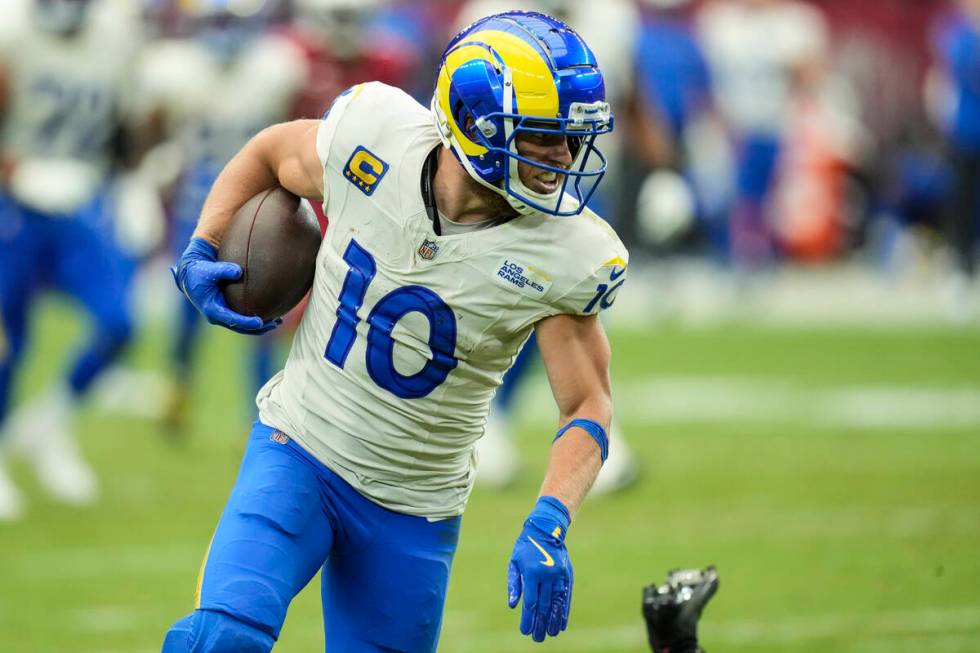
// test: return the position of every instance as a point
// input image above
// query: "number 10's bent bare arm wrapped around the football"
(280, 155)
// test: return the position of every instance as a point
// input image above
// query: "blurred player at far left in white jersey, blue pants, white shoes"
(64, 69)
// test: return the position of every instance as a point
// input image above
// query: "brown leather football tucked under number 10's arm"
(274, 237)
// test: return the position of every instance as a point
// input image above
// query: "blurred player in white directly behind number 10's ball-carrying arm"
(215, 90)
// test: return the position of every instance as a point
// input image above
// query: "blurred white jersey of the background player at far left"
(67, 97)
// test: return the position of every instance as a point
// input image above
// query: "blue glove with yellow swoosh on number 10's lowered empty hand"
(540, 569)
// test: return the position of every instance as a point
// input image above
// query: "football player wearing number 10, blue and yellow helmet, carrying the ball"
(455, 232)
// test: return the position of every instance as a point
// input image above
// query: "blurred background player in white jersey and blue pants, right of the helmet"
(762, 54)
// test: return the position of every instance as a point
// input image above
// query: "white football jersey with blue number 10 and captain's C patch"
(408, 334)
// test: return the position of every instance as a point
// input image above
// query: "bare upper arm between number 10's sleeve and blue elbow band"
(576, 356)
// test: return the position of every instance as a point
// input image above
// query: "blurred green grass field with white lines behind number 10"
(832, 476)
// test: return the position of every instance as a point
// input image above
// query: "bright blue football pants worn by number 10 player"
(384, 573)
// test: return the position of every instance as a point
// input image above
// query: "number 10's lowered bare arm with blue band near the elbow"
(576, 356)
